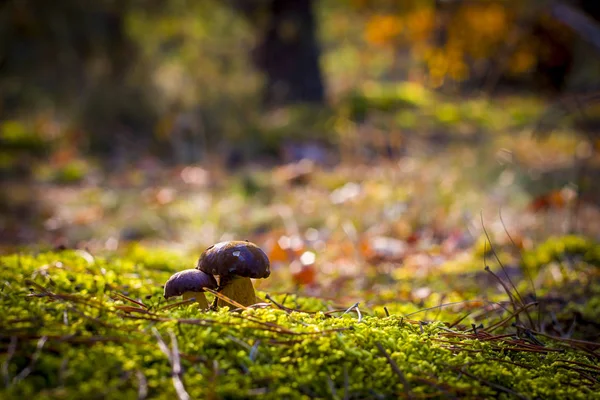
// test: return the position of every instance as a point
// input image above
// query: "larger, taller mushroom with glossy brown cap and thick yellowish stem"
(235, 262)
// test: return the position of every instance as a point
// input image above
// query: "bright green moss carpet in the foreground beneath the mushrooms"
(76, 326)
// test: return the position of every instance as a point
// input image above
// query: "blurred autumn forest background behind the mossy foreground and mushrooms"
(333, 133)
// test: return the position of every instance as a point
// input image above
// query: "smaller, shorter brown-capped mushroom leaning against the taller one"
(190, 283)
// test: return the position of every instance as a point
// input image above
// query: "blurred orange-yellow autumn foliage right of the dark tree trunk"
(471, 32)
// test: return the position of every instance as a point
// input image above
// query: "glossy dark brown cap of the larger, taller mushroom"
(240, 258)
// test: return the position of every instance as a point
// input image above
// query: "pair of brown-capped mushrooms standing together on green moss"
(235, 263)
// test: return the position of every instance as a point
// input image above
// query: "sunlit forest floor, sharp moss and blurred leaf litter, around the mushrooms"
(378, 284)
